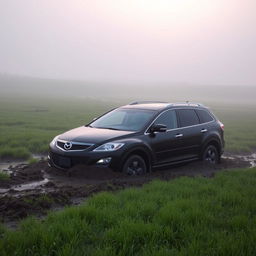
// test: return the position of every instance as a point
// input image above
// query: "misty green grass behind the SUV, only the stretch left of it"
(28, 126)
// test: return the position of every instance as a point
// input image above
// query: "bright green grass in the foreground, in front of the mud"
(186, 216)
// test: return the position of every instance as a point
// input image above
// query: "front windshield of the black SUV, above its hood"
(124, 119)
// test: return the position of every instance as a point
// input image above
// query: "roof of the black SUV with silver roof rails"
(154, 105)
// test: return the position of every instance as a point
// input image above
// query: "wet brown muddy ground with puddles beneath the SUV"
(35, 189)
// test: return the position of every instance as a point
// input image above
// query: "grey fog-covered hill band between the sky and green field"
(16, 88)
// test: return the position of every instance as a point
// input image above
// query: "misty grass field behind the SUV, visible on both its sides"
(27, 125)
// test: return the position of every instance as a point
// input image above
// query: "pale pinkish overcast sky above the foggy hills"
(192, 41)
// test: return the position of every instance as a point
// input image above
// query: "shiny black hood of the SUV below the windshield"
(92, 135)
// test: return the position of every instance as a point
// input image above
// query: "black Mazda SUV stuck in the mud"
(142, 135)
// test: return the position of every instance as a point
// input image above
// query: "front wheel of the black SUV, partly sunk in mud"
(134, 165)
